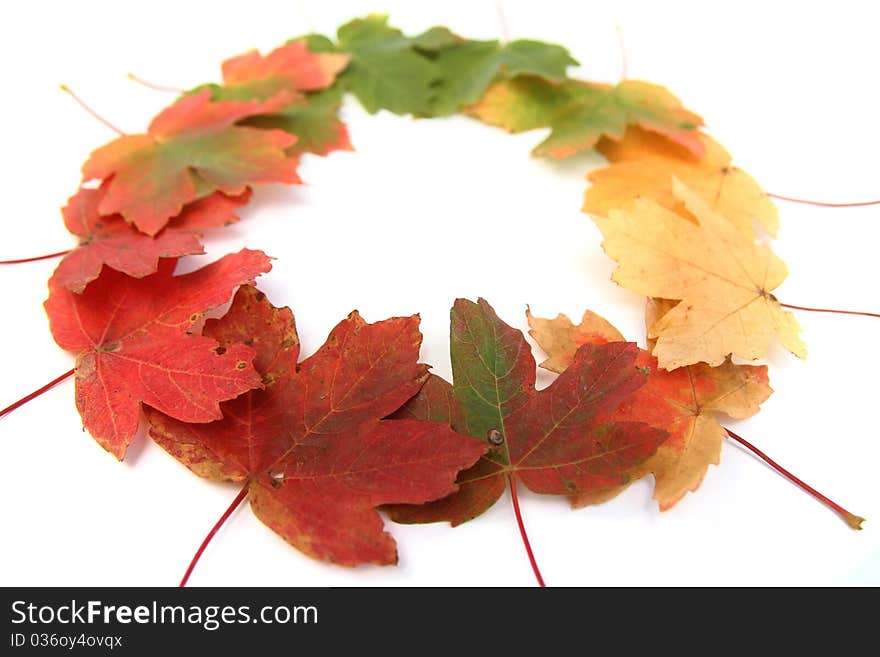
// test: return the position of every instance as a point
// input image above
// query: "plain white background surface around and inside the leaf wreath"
(423, 212)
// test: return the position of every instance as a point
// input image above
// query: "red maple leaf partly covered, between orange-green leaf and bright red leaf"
(110, 241)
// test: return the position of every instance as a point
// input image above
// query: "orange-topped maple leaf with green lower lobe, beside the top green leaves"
(292, 82)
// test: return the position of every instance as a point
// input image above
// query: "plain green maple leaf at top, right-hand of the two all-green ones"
(468, 68)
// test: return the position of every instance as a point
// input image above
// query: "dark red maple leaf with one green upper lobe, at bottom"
(550, 440)
